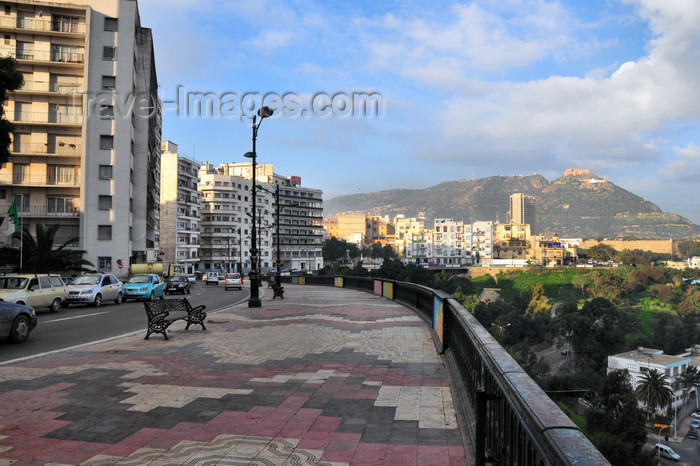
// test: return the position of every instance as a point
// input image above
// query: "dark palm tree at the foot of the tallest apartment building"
(40, 255)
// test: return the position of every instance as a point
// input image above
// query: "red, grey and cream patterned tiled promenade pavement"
(326, 376)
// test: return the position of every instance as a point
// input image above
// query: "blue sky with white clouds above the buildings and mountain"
(457, 90)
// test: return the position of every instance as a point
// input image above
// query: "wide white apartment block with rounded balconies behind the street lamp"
(226, 222)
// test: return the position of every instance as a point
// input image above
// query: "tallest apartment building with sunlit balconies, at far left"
(83, 157)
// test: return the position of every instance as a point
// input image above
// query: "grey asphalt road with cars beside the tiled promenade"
(79, 325)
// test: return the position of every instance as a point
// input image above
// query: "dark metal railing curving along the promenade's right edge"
(510, 419)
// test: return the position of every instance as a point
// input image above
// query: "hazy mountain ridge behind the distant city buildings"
(579, 204)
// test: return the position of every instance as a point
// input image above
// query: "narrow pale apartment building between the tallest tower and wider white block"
(179, 208)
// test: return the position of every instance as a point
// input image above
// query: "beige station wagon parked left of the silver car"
(35, 290)
